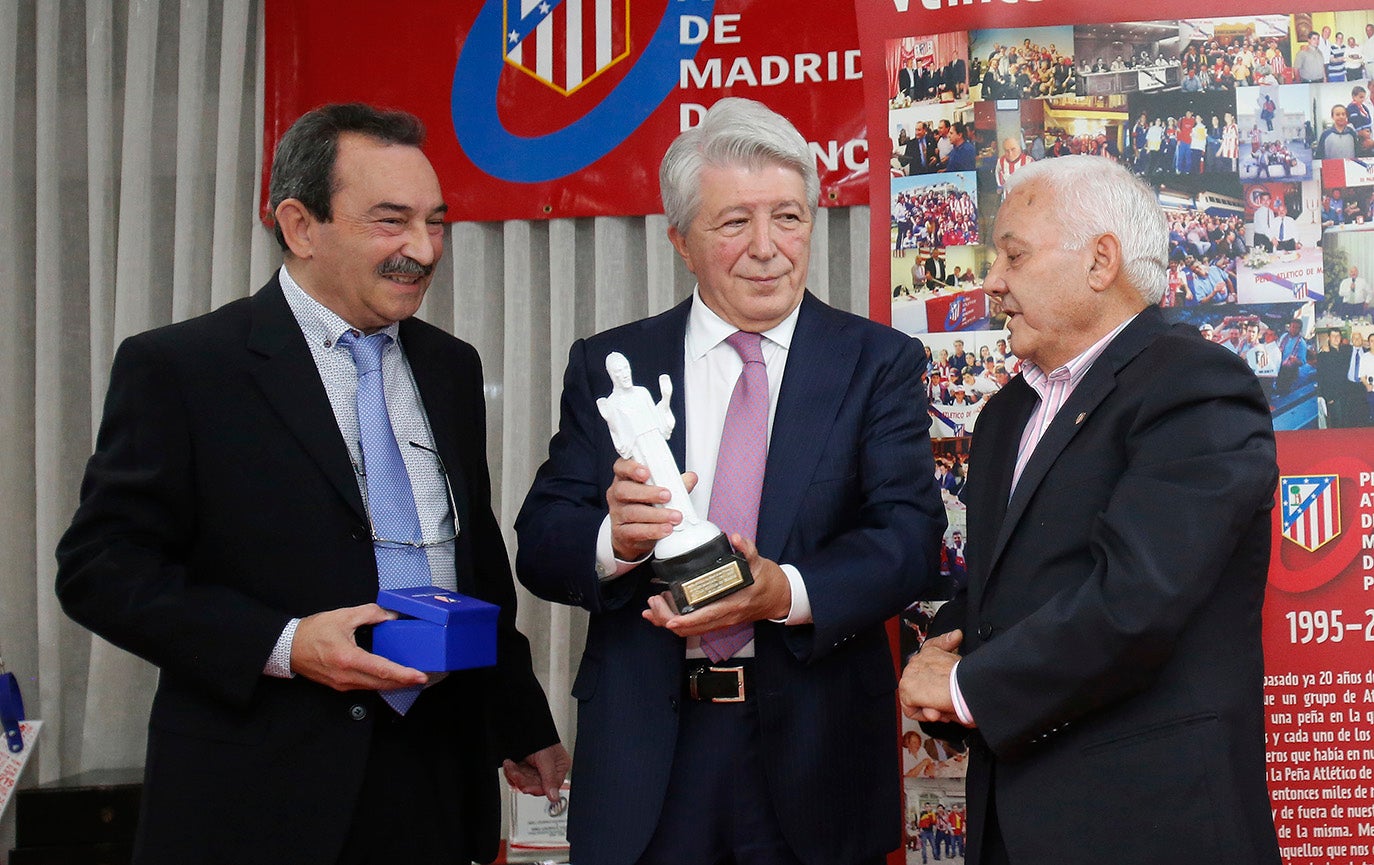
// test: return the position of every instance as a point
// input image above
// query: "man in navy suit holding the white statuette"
(785, 752)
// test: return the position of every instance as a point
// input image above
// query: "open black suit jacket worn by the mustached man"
(221, 503)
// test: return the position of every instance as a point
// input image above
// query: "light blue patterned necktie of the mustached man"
(391, 502)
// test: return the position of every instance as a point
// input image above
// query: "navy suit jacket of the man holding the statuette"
(848, 498)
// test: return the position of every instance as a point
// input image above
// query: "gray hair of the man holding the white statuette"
(736, 132)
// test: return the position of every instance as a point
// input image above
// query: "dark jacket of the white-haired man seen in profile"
(1112, 619)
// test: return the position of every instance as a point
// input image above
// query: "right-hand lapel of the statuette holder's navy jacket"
(821, 366)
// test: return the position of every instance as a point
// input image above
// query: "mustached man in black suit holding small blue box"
(223, 536)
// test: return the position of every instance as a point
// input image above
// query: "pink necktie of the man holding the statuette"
(740, 473)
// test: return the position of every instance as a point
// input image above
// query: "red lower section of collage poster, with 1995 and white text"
(1320, 649)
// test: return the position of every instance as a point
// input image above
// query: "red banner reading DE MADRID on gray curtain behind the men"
(565, 109)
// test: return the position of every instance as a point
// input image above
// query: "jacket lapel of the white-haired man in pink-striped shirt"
(1075, 415)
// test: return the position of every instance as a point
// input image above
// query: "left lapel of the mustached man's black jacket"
(291, 381)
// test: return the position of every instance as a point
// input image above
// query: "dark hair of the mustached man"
(303, 167)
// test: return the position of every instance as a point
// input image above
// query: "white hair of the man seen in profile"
(1097, 197)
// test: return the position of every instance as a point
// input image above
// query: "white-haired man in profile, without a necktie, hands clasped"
(1119, 506)
